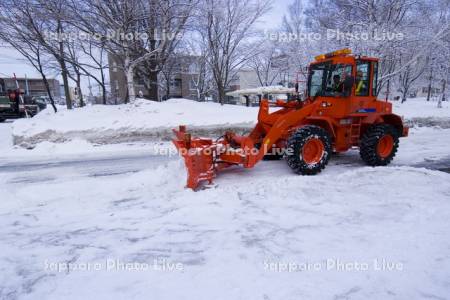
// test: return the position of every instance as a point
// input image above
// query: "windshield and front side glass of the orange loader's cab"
(328, 80)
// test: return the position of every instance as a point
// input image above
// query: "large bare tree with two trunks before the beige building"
(137, 31)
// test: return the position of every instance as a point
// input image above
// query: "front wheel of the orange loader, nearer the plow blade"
(308, 150)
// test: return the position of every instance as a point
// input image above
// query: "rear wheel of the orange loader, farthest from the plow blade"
(379, 145)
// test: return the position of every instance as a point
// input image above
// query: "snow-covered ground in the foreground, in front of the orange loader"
(68, 231)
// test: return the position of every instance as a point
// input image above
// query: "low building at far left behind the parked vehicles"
(34, 87)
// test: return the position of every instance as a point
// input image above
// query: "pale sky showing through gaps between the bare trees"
(11, 62)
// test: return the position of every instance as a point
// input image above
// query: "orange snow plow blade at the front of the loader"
(198, 157)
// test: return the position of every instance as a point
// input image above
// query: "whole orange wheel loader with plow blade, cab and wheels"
(340, 112)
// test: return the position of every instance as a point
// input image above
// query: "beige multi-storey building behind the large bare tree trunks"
(178, 80)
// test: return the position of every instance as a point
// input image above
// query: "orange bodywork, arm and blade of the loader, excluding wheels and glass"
(345, 118)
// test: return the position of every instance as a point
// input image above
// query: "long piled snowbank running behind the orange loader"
(147, 120)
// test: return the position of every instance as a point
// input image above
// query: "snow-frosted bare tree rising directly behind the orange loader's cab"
(383, 29)
